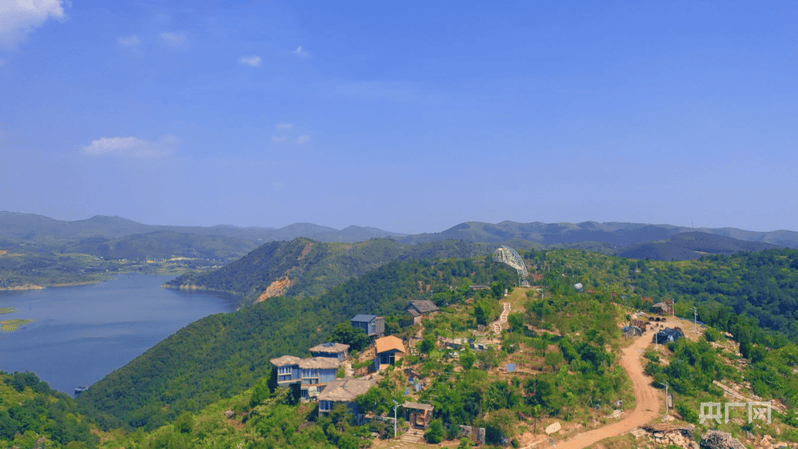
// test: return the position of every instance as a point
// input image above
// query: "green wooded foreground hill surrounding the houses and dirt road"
(566, 341)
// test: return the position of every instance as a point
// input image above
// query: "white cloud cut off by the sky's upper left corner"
(20, 17)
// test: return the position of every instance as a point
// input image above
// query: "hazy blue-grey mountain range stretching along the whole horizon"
(635, 240)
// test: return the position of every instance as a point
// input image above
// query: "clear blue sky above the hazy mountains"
(406, 116)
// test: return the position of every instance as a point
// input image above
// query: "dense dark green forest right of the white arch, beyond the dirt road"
(762, 286)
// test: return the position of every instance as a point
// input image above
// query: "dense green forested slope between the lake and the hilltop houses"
(220, 355)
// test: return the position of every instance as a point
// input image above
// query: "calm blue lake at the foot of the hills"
(81, 334)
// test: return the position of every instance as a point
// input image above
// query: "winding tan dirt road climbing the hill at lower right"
(648, 402)
